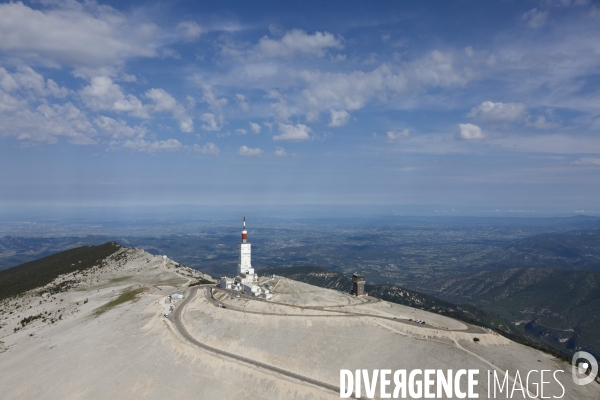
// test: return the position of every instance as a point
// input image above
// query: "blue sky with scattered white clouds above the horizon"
(467, 104)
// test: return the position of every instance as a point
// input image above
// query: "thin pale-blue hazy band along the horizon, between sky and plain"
(166, 211)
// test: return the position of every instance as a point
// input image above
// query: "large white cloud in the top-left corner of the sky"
(85, 35)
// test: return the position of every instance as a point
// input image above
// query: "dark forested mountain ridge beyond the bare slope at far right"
(561, 306)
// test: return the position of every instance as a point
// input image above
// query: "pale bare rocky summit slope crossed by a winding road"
(105, 336)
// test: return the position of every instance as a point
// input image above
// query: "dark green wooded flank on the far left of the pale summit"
(34, 274)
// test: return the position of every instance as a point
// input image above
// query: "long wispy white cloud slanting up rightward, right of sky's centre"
(326, 90)
